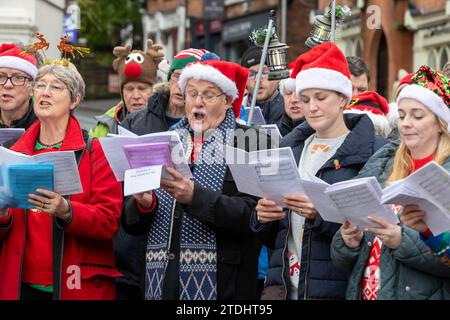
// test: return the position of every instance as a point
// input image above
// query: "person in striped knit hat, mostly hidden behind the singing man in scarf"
(166, 107)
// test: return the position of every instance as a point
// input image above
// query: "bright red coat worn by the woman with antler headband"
(88, 264)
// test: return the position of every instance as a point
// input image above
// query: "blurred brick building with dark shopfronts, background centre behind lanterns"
(179, 24)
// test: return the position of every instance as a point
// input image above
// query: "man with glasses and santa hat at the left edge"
(17, 72)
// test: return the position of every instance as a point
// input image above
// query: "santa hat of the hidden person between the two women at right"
(375, 106)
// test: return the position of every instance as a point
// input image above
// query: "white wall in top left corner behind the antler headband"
(20, 19)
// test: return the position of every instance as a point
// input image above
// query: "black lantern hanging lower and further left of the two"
(277, 55)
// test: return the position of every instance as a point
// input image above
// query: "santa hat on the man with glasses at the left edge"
(13, 57)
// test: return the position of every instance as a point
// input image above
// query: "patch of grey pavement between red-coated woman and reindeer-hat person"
(88, 109)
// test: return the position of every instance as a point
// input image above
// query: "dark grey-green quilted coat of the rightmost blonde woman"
(410, 272)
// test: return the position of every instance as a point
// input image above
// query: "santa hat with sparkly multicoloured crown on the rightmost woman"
(432, 89)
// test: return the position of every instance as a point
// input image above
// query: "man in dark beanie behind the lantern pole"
(268, 98)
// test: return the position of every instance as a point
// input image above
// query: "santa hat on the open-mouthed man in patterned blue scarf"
(230, 77)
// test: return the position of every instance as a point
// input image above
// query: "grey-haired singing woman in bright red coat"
(62, 250)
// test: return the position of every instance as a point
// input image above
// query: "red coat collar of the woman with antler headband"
(72, 141)
